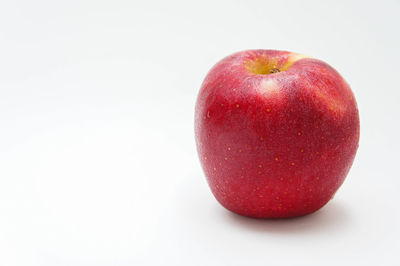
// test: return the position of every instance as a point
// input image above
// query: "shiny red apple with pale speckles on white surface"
(275, 145)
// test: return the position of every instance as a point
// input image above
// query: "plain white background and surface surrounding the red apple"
(98, 164)
